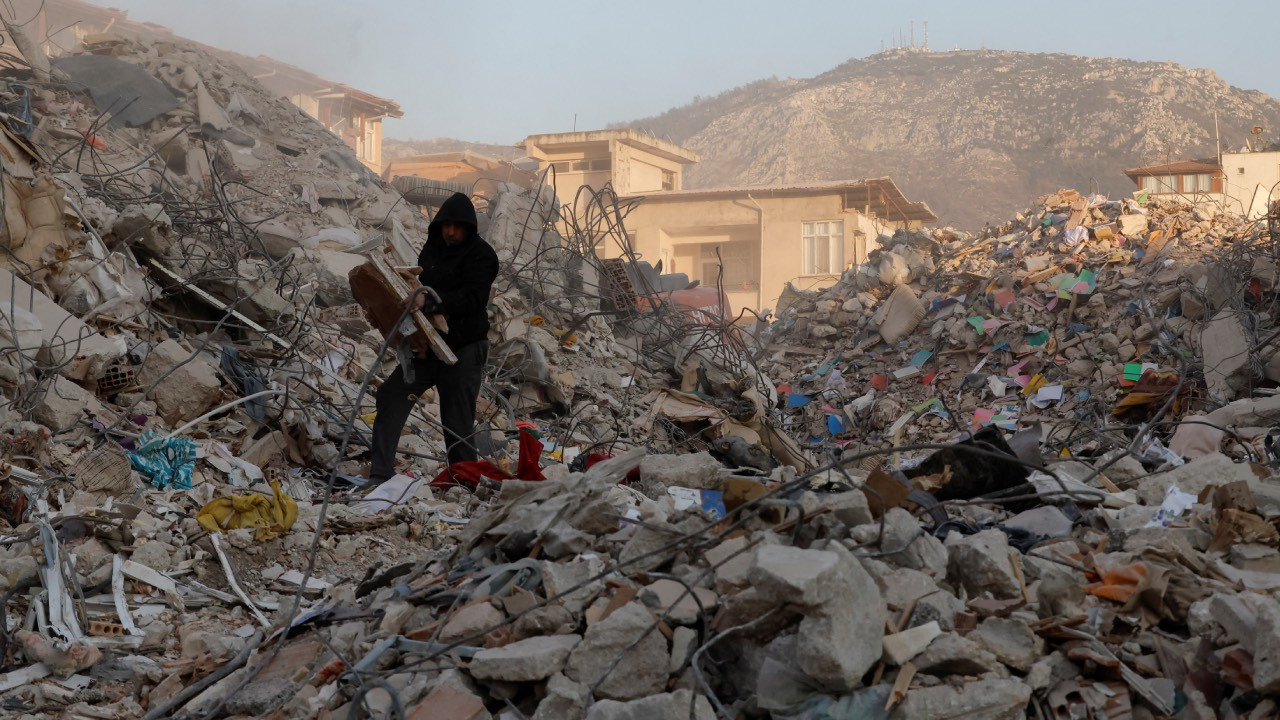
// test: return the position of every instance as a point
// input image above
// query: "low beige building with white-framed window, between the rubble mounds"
(757, 240)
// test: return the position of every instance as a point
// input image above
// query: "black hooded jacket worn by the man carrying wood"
(463, 275)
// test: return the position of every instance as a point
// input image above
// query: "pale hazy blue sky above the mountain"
(496, 71)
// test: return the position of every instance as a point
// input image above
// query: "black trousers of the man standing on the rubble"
(458, 388)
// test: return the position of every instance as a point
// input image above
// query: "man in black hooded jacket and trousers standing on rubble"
(461, 267)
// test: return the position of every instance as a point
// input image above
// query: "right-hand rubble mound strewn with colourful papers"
(1055, 317)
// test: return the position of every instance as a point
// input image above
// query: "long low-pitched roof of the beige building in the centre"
(880, 197)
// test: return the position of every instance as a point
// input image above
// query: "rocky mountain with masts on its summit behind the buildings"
(976, 134)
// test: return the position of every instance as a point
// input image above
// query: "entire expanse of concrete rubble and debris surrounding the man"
(1030, 472)
